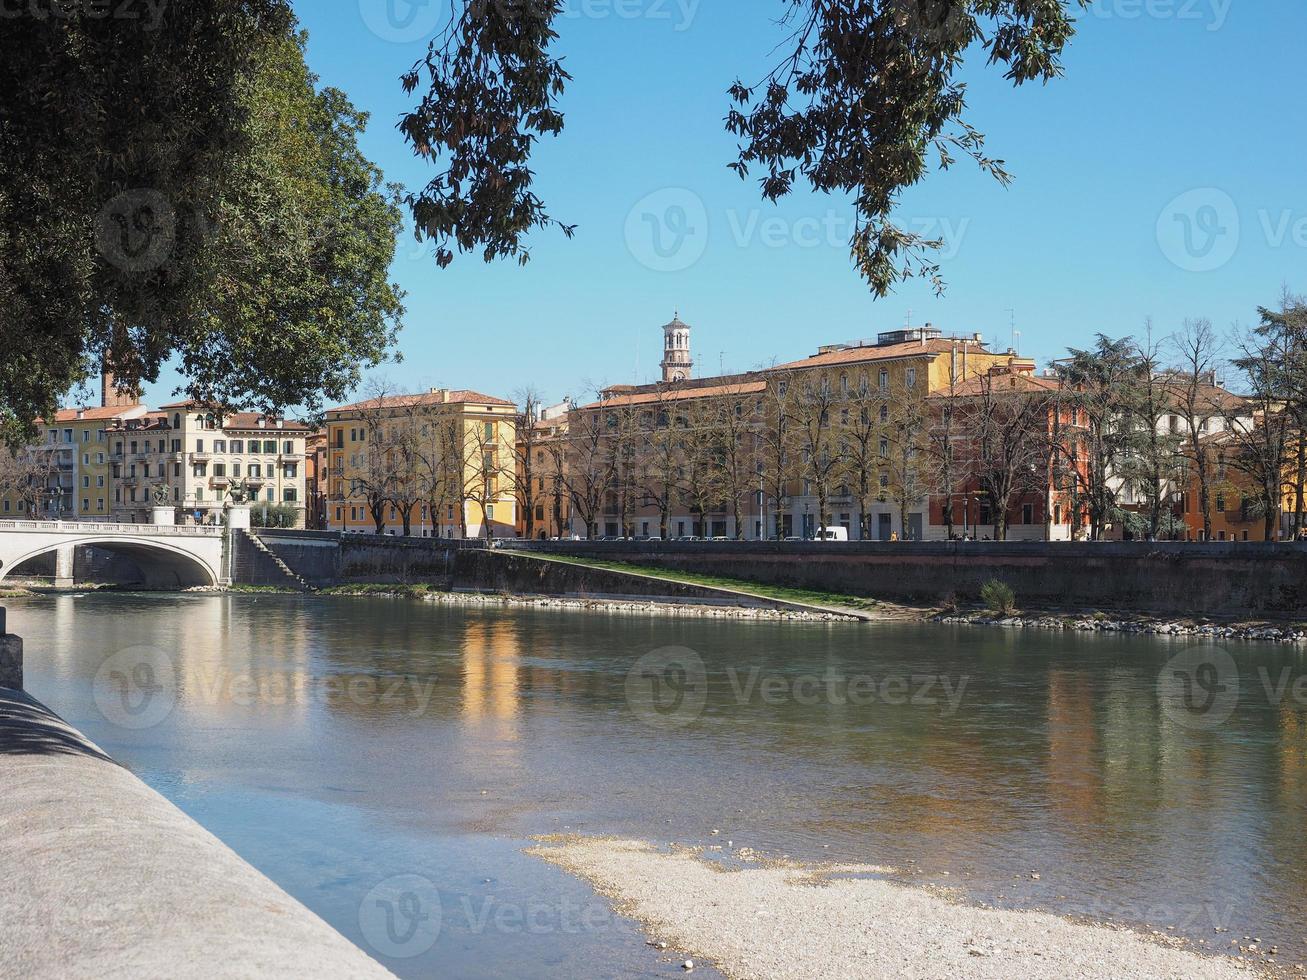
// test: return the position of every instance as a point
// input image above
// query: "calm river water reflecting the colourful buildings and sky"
(385, 759)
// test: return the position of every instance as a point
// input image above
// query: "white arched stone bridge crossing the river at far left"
(167, 557)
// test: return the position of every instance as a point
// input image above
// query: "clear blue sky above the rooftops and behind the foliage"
(1161, 178)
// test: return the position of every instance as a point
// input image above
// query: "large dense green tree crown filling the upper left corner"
(176, 186)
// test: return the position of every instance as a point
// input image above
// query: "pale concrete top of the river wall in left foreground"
(107, 879)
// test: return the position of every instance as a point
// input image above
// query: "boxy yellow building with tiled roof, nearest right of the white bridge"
(444, 459)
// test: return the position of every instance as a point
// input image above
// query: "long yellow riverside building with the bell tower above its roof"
(778, 441)
